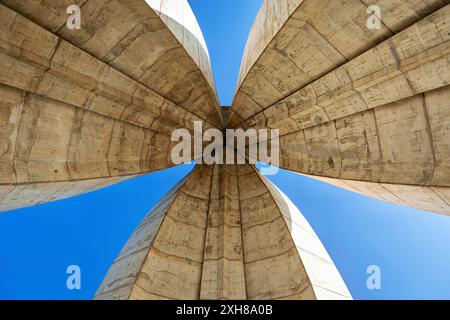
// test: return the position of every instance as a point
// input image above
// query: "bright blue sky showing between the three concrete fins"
(37, 244)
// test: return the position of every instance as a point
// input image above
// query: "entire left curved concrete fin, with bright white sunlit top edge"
(97, 103)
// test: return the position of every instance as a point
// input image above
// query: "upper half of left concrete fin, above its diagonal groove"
(157, 44)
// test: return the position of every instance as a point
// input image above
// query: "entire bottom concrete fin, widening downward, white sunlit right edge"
(224, 233)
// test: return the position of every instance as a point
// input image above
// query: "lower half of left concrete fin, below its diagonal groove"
(80, 118)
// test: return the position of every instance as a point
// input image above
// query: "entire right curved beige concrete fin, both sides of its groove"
(360, 105)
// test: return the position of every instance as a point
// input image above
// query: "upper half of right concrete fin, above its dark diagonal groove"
(294, 43)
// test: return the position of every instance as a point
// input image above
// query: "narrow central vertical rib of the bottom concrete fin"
(223, 275)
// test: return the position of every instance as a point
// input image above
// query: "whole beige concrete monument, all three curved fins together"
(364, 109)
